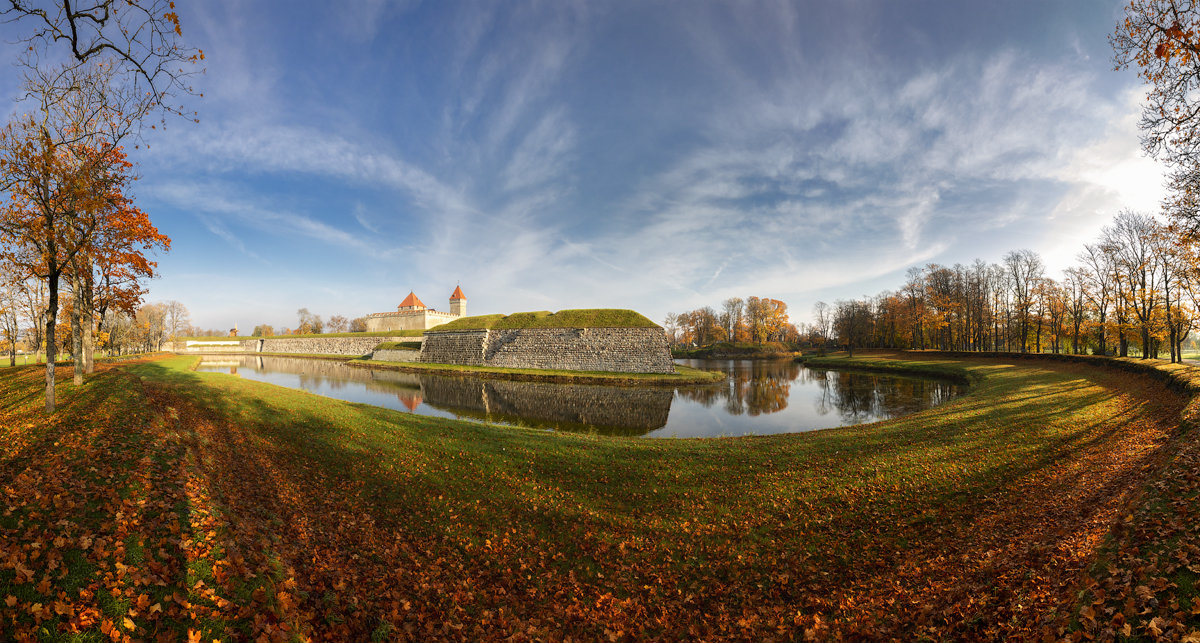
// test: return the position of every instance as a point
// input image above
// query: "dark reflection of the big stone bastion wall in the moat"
(615, 408)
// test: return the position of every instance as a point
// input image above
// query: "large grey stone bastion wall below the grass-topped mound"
(623, 351)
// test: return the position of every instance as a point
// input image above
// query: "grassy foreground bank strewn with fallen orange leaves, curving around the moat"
(161, 503)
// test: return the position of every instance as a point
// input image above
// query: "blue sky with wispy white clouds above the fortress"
(650, 155)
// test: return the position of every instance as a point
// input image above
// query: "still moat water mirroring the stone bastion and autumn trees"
(758, 398)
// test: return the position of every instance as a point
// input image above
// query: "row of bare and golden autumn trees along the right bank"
(1135, 291)
